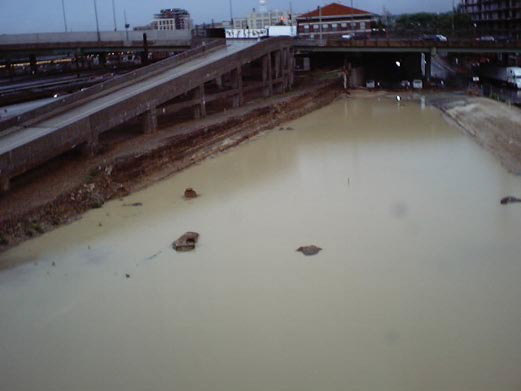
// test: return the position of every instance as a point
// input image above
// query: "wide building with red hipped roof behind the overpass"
(335, 20)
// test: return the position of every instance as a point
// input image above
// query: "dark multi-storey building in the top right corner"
(495, 17)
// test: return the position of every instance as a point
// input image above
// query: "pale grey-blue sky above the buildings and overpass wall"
(28, 16)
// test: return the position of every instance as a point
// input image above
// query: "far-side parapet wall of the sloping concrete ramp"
(61, 104)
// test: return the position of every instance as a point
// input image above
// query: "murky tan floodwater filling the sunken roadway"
(417, 286)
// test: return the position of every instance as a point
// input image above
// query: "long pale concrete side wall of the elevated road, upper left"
(91, 36)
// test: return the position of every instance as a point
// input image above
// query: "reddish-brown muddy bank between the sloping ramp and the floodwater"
(63, 189)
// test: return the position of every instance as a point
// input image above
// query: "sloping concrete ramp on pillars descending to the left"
(178, 83)
